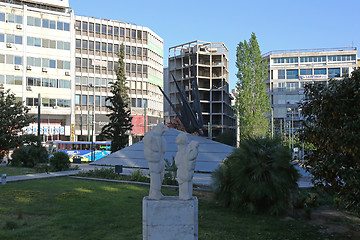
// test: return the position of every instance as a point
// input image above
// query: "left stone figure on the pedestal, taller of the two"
(154, 150)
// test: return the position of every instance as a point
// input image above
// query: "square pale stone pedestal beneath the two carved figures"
(170, 219)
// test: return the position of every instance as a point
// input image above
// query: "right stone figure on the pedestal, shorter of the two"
(185, 160)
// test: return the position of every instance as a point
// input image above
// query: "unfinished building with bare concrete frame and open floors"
(208, 64)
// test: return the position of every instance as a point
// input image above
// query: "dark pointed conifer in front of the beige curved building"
(120, 118)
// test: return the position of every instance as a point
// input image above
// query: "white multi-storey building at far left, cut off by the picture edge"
(36, 57)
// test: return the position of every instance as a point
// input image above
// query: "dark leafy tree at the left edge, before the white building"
(13, 118)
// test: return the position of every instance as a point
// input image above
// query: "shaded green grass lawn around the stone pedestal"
(66, 208)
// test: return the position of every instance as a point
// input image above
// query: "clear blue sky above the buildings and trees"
(278, 24)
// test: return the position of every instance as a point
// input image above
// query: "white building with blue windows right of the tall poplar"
(290, 70)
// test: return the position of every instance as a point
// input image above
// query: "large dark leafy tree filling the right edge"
(332, 124)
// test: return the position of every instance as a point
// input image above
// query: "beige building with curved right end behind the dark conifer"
(97, 45)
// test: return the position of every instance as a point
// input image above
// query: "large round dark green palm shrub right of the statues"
(258, 176)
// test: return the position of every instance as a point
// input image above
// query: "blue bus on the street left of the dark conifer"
(82, 149)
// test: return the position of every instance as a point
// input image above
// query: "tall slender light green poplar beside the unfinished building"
(252, 102)
